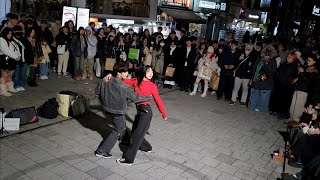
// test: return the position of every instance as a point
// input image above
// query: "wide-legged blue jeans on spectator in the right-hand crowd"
(259, 99)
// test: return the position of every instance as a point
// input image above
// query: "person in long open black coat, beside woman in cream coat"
(187, 56)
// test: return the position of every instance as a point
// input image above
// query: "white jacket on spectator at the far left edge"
(12, 50)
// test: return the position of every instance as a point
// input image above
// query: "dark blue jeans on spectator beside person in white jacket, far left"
(20, 75)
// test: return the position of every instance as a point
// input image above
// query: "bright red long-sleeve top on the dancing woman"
(147, 88)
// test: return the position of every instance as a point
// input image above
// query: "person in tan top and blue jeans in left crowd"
(44, 63)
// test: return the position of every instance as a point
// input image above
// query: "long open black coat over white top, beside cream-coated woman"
(185, 64)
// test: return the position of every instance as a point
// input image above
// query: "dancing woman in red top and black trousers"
(142, 86)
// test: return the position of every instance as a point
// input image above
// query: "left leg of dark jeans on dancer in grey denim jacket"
(119, 121)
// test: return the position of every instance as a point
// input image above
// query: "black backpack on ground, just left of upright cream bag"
(49, 109)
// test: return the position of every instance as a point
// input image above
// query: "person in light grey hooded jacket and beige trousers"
(92, 42)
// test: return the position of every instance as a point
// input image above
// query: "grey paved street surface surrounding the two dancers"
(202, 139)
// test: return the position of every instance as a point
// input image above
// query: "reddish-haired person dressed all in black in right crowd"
(283, 91)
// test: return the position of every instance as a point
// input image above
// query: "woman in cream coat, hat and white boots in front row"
(207, 65)
